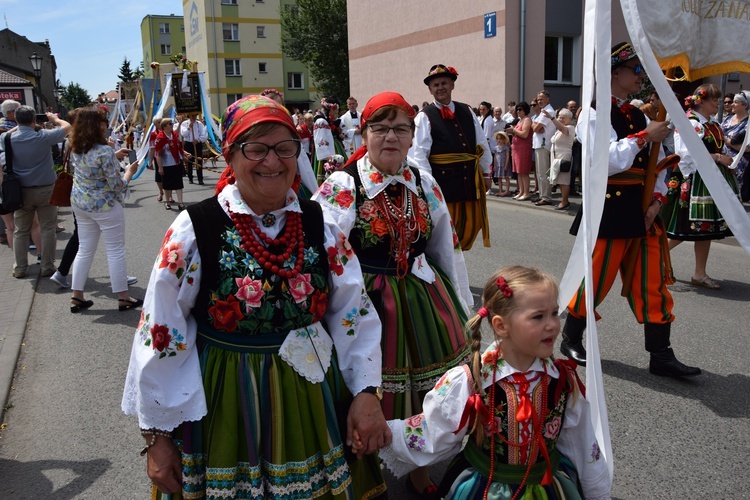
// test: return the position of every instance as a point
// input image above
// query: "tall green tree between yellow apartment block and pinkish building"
(314, 32)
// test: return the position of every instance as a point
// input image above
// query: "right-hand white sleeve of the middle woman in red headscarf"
(443, 246)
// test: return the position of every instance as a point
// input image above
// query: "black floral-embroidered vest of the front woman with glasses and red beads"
(273, 308)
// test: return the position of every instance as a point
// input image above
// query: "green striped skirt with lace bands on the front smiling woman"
(270, 433)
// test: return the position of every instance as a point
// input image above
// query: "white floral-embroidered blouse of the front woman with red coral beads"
(164, 386)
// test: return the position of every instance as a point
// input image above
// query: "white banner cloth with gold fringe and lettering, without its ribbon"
(703, 38)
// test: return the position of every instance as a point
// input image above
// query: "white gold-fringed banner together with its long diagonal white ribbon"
(710, 37)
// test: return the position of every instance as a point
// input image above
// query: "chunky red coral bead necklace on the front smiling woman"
(271, 253)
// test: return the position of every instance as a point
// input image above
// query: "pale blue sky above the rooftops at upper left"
(89, 39)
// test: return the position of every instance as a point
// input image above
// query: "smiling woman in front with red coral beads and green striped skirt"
(255, 333)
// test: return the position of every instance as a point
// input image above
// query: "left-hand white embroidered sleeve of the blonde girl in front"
(434, 435)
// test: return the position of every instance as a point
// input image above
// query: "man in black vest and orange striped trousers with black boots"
(622, 226)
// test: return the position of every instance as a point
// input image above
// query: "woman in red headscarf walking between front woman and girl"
(399, 226)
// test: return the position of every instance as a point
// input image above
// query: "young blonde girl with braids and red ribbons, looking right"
(528, 420)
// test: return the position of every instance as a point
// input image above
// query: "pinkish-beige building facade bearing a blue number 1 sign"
(535, 44)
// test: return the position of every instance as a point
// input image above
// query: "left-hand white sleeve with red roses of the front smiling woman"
(163, 386)
